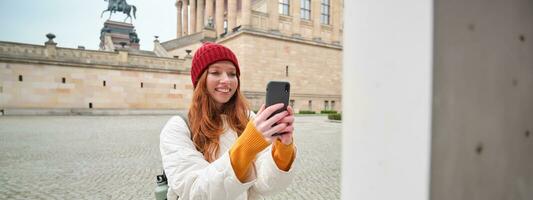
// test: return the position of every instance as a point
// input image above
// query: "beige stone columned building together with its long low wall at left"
(292, 40)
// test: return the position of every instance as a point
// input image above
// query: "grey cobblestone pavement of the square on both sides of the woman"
(117, 157)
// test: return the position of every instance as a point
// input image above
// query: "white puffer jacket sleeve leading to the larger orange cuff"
(189, 175)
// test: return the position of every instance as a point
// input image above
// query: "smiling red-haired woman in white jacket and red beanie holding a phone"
(228, 152)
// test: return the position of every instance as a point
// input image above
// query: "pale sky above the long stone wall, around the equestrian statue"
(78, 22)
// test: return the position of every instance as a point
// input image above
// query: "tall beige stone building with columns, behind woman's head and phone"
(293, 40)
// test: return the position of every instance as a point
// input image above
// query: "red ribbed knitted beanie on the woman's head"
(208, 54)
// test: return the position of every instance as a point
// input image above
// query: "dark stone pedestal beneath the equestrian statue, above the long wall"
(120, 33)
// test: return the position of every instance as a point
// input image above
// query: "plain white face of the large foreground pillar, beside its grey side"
(387, 90)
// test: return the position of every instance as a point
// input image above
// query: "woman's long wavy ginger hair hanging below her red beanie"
(205, 118)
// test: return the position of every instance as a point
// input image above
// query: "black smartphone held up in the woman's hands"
(277, 92)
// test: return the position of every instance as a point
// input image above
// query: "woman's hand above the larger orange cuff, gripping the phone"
(264, 125)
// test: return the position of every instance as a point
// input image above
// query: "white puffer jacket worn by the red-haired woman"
(190, 176)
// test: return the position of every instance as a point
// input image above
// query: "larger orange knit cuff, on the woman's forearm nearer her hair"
(244, 150)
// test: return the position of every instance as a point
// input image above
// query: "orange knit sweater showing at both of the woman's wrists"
(249, 144)
